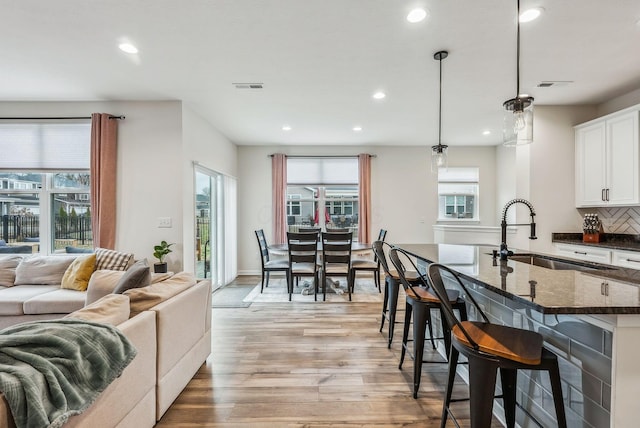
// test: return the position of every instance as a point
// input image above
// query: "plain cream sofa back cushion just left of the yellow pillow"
(46, 270)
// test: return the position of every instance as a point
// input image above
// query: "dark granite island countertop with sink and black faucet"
(595, 289)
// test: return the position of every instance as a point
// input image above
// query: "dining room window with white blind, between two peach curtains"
(322, 181)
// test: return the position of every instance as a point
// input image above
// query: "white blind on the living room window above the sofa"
(45, 146)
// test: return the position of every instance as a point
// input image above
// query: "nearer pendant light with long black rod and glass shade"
(518, 112)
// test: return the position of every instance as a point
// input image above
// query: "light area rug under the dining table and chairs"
(365, 291)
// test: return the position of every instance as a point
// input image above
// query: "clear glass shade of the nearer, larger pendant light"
(517, 128)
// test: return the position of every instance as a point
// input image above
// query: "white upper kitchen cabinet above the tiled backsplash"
(608, 161)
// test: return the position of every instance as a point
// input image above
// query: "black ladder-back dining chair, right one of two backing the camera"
(336, 258)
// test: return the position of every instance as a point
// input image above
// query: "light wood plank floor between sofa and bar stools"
(308, 365)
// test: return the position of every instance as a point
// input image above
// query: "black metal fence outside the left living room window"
(19, 228)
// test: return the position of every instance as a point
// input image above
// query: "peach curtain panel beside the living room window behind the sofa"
(104, 154)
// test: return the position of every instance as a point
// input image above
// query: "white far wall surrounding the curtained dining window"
(404, 192)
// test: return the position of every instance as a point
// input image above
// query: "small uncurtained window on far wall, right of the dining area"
(458, 194)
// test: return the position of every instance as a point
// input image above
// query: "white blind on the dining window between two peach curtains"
(322, 171)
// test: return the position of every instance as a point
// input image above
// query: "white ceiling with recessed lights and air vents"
(320, 62)
